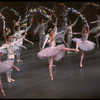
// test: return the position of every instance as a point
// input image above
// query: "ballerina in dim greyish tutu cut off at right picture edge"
(96, 29)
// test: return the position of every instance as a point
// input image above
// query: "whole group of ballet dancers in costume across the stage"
(14, 44)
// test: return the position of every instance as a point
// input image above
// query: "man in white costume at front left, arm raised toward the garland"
(9, 46)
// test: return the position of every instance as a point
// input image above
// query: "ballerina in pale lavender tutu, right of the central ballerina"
(83, 43)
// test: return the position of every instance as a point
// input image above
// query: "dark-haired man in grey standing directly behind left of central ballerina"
(41, 28)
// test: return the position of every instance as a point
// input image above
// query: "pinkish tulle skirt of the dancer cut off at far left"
(6, 65)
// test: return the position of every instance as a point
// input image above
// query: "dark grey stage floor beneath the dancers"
(70, 81)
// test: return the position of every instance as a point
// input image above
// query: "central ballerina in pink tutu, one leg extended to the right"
(53, 52)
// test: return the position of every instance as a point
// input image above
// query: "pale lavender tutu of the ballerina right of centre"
(84, 45)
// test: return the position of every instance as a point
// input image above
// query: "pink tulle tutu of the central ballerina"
(55, 52)
